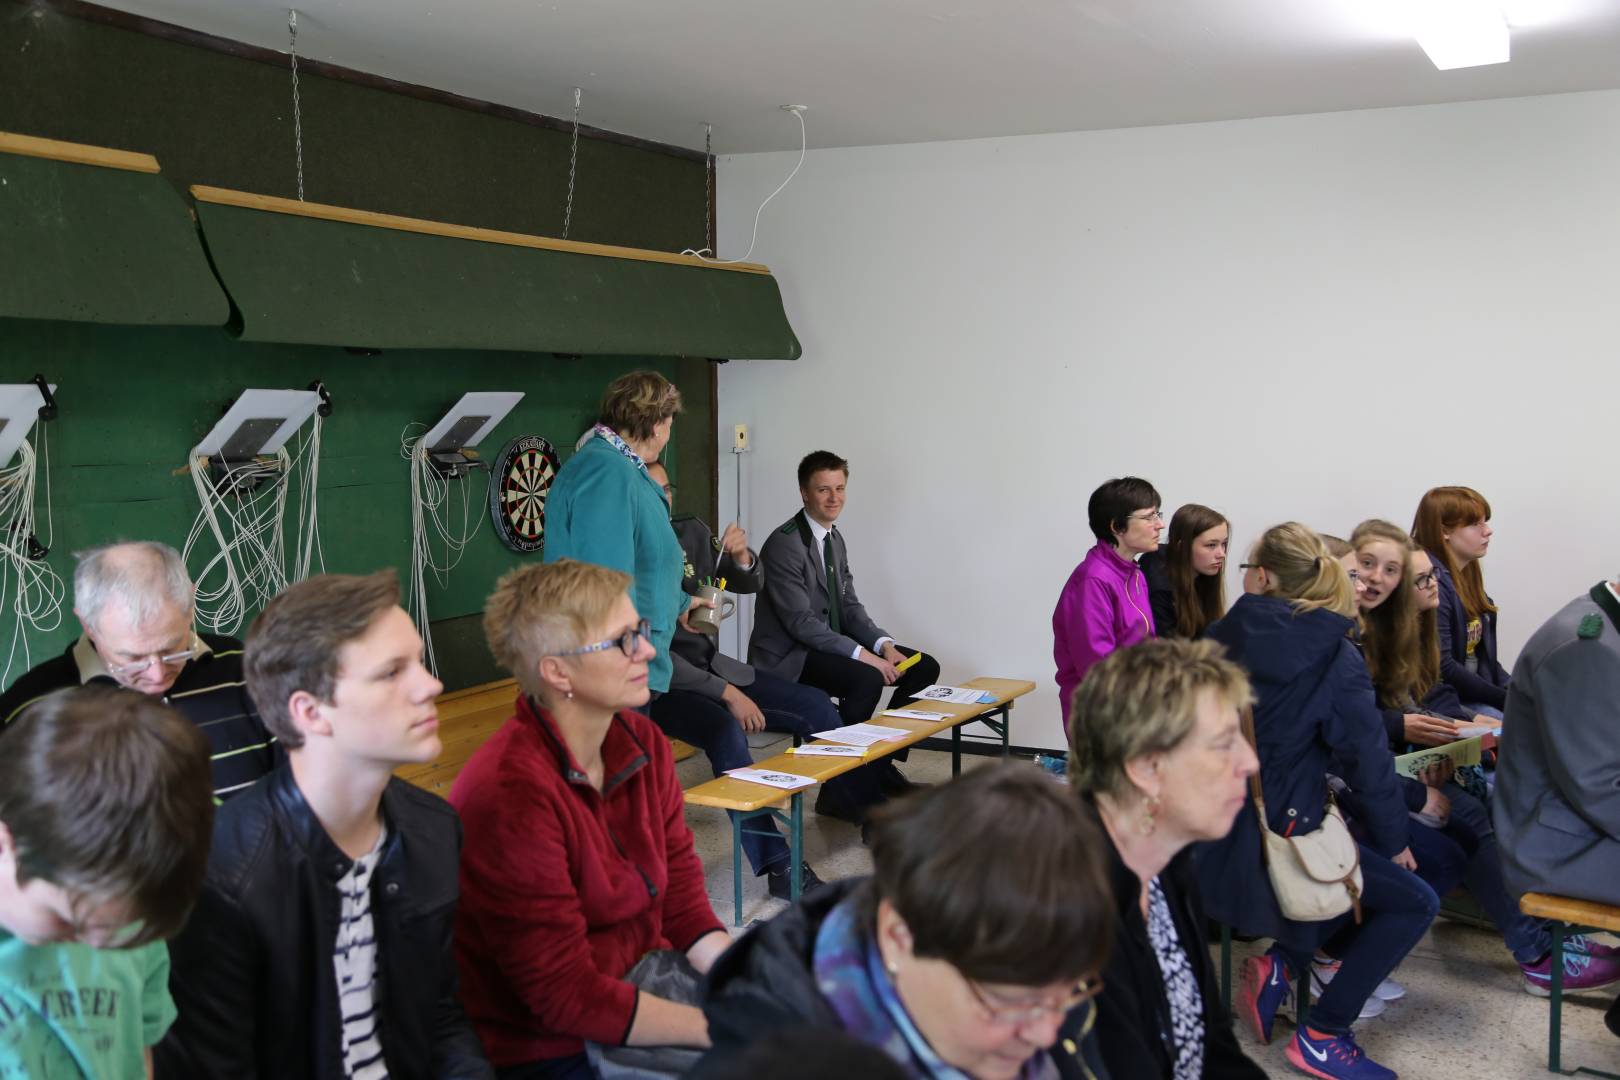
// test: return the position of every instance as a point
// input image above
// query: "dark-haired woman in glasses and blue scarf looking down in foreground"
(973, 951)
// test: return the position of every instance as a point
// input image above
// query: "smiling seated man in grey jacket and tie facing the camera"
(811, 626)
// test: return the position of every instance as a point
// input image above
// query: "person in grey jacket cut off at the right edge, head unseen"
(1558, 797)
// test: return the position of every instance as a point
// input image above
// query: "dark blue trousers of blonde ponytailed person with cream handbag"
(1397, 908)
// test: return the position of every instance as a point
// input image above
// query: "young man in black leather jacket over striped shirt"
(320, 948)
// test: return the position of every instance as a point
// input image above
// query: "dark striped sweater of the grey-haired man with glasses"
(210, 692)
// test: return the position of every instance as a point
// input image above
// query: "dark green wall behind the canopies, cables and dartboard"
(135, 399)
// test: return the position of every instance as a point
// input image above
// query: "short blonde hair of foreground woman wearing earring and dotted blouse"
(1145, 700)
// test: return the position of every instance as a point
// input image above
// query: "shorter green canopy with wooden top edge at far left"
(98, 236)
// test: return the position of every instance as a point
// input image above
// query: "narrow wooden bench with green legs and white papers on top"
(757, 801)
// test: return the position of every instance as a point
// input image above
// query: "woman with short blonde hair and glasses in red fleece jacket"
(578, 857)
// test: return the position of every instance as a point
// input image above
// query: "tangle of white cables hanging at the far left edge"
(32, 587)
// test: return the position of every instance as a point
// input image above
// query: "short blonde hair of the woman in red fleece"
(548, 610)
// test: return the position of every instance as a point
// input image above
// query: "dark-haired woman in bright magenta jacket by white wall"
(1104, 605)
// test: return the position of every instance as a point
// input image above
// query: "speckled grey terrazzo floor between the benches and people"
(1464, 1014)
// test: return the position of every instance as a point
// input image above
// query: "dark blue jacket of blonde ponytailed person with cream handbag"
(1315, 713)
